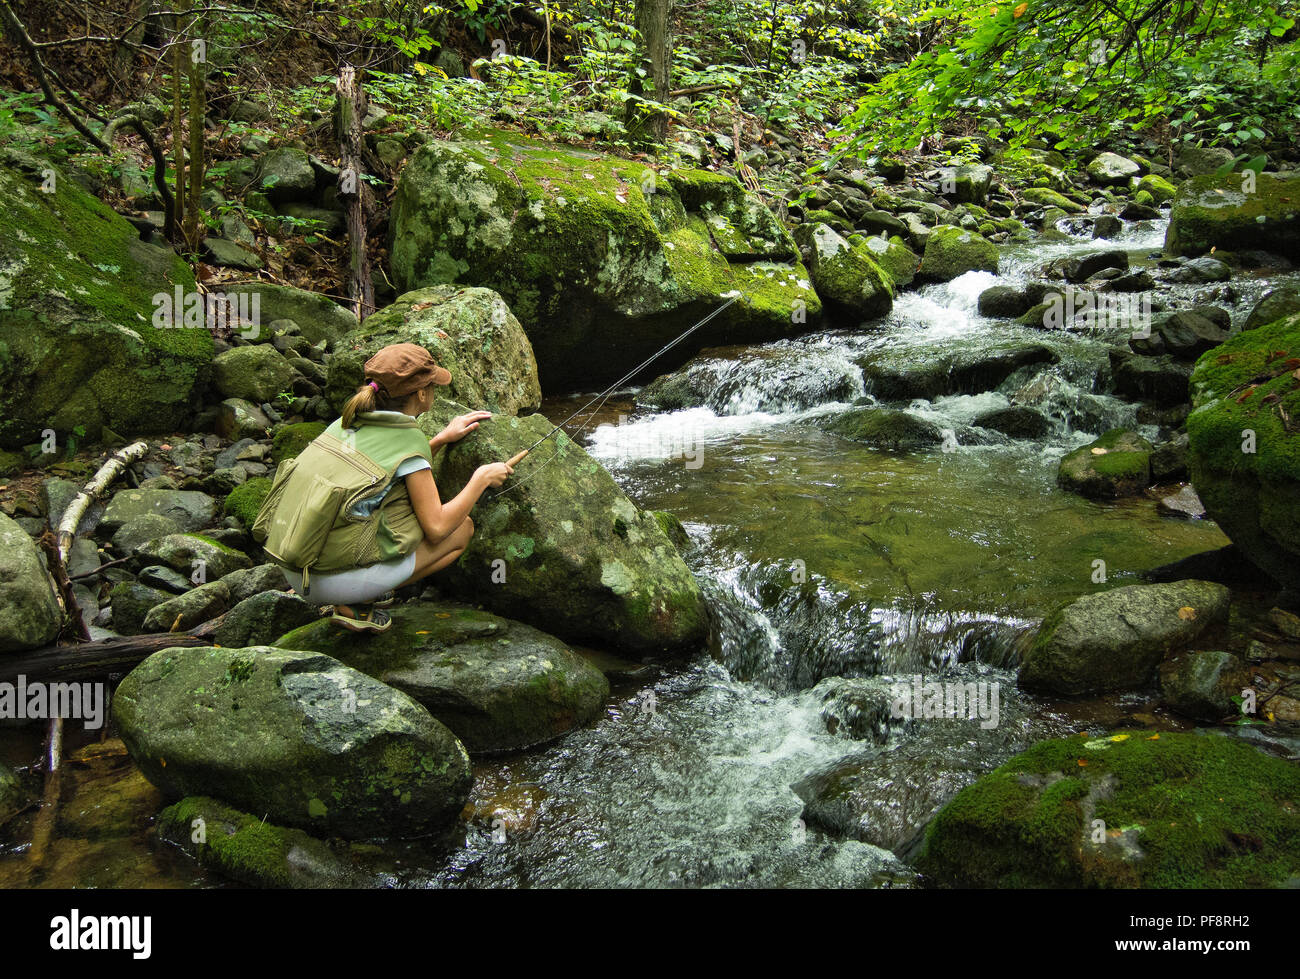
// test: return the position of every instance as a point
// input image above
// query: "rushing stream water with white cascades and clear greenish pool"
(824, 558)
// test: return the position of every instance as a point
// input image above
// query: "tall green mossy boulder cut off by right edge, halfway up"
(1245, 444)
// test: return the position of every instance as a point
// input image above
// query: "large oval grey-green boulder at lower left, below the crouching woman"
(298, 738)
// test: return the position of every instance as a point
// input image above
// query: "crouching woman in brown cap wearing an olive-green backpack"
(357, 514)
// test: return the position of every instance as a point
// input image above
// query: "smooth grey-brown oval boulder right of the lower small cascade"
(1113, 640)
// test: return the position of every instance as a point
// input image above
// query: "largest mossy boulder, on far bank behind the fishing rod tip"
(604, 261)
